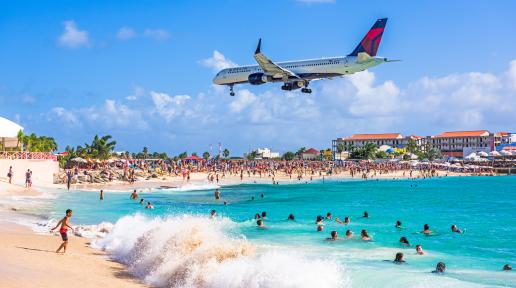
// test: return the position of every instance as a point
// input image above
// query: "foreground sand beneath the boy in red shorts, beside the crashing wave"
(29, 260)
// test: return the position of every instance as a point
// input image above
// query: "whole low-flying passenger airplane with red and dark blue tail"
(298, 74)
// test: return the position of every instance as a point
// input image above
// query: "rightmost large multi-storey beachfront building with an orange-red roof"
(463, 143)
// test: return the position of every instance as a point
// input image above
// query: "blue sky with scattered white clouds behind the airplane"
(142, 70)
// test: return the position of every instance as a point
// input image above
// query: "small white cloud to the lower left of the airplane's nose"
(169, 107)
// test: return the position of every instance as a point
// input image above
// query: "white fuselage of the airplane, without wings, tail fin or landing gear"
(305, 69)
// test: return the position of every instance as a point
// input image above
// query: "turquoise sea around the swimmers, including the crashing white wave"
(293, 253)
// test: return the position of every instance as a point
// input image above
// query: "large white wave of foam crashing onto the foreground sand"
(194, 251)
